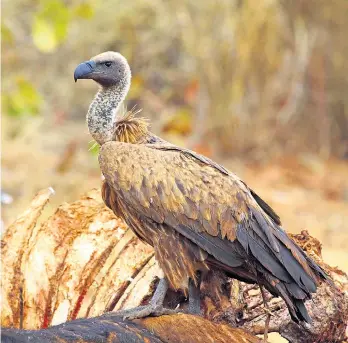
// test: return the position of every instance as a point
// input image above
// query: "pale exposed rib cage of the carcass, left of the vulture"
(70, 266)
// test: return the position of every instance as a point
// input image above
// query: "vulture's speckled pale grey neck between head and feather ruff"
(102, 113)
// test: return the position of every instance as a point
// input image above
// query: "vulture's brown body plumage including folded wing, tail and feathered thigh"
(198, 216)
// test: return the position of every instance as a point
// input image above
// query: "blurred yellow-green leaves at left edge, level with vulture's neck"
(24, 100)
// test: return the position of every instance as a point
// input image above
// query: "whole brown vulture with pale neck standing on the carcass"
(197, 215)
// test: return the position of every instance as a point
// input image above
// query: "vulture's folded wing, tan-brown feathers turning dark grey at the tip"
(206, 204)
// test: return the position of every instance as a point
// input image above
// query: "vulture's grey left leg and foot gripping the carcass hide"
(154, 307)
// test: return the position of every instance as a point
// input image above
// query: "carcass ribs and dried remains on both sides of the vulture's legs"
(83, 261)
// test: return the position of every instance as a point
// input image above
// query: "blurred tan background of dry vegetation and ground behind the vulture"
(260, 87)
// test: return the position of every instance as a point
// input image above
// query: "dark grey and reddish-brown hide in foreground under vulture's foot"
(111, 328)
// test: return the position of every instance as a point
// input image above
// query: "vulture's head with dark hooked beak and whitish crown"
(108, 69)
